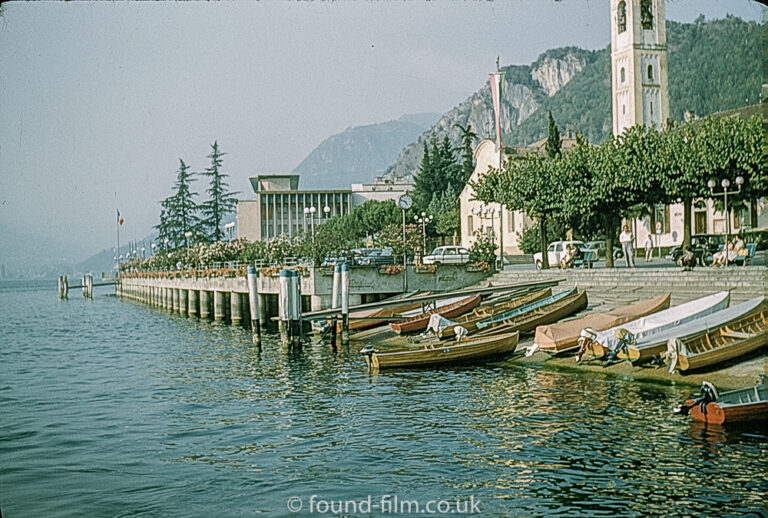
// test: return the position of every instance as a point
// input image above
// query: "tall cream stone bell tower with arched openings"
(639, 85)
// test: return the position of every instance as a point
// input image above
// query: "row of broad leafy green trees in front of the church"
(590, 189)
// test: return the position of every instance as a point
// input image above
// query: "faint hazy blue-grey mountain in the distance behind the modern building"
(359, 154)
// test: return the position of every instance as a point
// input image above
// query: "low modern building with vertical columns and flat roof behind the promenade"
(280, 207)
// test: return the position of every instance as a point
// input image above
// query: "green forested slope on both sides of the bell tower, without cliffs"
(713, 66)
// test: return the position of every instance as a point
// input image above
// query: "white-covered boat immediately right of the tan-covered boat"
(646, 327)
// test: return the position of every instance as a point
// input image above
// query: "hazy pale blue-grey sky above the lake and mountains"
(98, 101)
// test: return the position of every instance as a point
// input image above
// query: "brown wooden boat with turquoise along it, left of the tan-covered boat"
(545, 311)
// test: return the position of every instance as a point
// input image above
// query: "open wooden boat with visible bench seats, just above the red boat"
(730, 341)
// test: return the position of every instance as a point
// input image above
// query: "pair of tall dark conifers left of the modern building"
(180, 214)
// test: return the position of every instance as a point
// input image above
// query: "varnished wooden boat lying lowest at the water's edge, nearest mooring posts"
(469, 350)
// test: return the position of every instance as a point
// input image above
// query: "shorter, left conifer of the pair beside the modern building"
(178, 213)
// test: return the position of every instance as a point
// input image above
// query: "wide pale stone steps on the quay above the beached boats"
(624, 286)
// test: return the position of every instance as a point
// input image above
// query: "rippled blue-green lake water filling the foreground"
(111, 408)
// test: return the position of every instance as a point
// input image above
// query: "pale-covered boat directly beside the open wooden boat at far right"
(654, 345)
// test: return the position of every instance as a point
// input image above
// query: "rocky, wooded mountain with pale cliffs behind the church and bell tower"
(713, 66)
